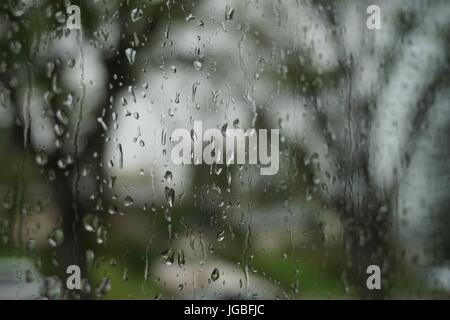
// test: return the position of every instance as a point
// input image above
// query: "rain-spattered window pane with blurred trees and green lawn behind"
(86, 176)
